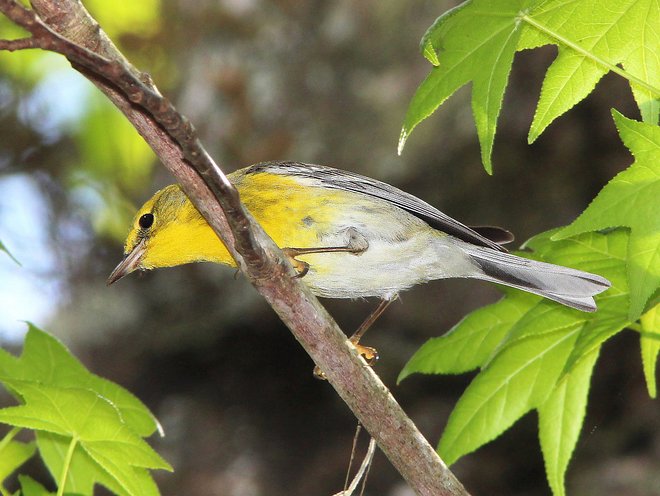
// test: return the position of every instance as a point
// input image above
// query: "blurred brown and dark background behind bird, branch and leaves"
(322, 82)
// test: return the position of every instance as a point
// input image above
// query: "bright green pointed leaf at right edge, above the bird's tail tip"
(632, 199)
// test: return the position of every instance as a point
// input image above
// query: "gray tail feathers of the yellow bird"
(571, 287)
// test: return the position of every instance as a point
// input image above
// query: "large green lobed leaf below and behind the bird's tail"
(540, 355)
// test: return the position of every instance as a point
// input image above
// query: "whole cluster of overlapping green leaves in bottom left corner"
(89, 430)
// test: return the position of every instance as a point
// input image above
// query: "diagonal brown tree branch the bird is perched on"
(65, 27)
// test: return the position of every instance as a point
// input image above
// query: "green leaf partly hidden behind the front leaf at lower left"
(46, 361)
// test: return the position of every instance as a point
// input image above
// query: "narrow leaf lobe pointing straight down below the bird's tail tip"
(560, 421)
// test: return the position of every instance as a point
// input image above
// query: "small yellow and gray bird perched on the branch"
(348, 236)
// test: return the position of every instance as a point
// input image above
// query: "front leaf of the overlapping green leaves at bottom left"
(97, 428)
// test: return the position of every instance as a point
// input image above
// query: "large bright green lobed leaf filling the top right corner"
(476, 42)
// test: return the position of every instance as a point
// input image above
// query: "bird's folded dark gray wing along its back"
(349, 181)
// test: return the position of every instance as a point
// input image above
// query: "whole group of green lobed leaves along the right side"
(534, 354)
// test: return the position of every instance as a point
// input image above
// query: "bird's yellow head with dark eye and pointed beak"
(168, 230)
